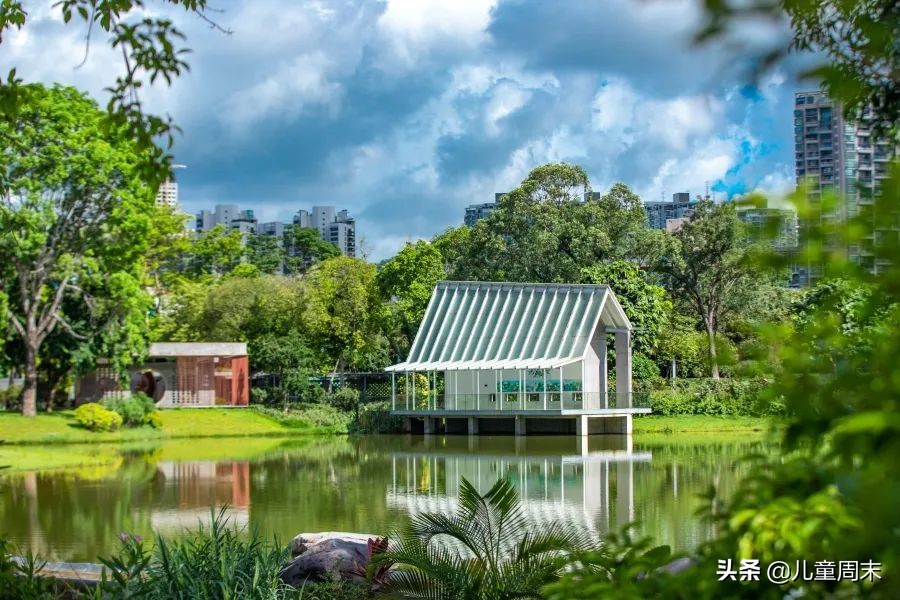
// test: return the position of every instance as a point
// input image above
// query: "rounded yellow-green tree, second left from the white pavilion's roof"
(342, 314)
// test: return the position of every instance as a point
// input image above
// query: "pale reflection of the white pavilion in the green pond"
(583, 480)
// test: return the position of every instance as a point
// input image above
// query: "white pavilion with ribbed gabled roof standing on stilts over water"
(530, 358)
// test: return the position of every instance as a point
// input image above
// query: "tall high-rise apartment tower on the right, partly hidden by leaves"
(834, 153)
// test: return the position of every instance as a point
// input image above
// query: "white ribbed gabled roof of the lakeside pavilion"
(484, 325)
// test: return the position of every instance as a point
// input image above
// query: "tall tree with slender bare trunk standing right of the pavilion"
(706, 263)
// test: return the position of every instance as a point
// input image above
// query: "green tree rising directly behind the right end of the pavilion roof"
(646, 305)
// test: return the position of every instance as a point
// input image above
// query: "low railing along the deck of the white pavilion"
(517, 401)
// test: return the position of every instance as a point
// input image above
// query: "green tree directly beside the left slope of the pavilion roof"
(406, 282)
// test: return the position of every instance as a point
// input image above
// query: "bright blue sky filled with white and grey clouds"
(405, 111)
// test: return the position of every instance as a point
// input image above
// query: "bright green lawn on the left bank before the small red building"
(177, 423)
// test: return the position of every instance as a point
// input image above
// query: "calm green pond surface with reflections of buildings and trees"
(370, 484)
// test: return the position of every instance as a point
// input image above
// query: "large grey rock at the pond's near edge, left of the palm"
(331, 555)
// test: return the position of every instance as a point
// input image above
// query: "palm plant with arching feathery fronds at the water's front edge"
(488, 550)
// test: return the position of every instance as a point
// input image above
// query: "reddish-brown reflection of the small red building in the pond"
(197, 486)
